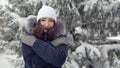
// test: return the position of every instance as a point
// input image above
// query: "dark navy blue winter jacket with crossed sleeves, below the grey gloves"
(43, 55)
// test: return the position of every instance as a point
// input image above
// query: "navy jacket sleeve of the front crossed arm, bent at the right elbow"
(50, 54)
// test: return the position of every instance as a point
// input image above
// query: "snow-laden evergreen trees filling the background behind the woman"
(93, 29)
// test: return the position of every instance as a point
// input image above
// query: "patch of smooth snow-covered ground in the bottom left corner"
(4, 61)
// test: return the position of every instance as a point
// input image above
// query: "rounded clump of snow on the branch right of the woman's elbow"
(93, 54)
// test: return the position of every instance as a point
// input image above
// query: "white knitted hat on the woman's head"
(47, 11)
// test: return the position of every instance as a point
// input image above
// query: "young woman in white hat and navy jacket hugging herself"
(46, 47)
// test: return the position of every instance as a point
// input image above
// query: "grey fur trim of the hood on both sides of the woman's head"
(31, 20)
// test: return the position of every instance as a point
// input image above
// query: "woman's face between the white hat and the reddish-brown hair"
(47, 22)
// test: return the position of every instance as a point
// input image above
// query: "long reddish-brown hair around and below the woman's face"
(44, 34)
